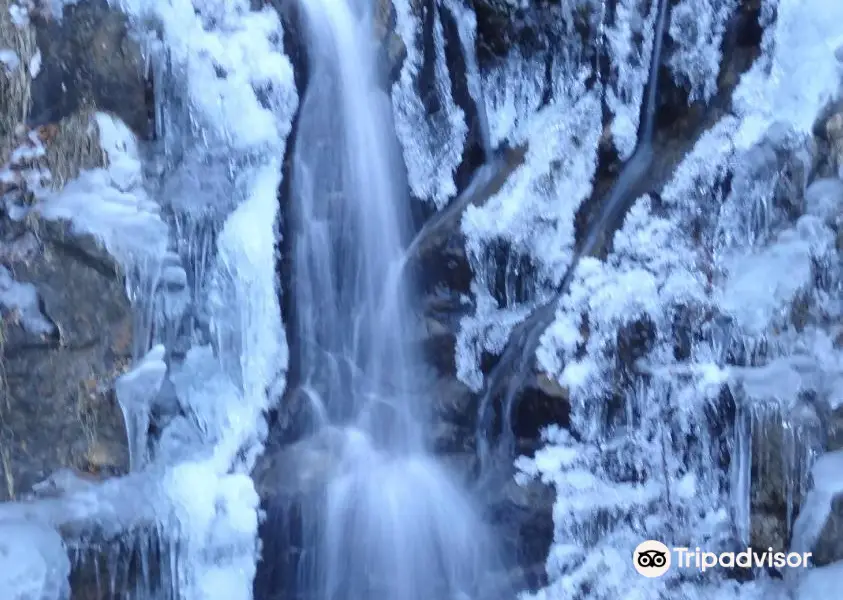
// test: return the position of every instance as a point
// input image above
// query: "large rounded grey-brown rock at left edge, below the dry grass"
(61, 355)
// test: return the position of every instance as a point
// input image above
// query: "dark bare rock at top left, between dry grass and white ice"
(89, 59)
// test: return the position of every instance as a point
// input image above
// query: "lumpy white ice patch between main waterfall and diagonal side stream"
(533, 213)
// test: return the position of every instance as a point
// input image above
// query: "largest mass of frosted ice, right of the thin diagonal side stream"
(721, 250)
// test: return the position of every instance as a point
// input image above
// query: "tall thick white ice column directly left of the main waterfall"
(227, 65)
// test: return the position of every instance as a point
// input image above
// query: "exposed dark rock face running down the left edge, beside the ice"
(66, 328)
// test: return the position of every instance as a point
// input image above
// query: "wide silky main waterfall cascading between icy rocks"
(393, 525)
